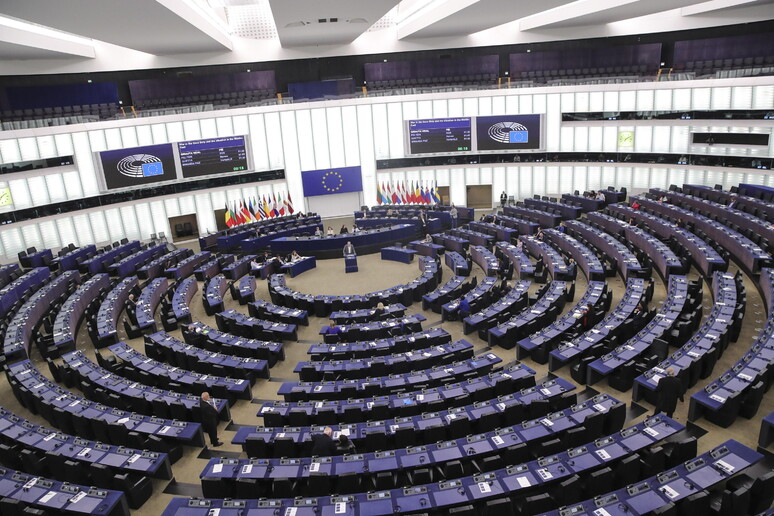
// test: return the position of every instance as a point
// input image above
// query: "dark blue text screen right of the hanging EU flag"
(439, 135)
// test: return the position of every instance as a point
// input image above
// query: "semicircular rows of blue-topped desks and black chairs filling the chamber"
(515, 385)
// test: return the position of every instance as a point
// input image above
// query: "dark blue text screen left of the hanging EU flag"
(213, 156)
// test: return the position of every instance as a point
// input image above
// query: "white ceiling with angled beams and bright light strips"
(78, 36)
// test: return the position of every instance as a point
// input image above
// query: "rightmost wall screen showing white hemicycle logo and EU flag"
(508, 132)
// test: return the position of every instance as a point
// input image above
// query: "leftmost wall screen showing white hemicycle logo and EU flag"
(138, 166)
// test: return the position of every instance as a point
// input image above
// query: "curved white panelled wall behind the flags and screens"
(353, 132)
